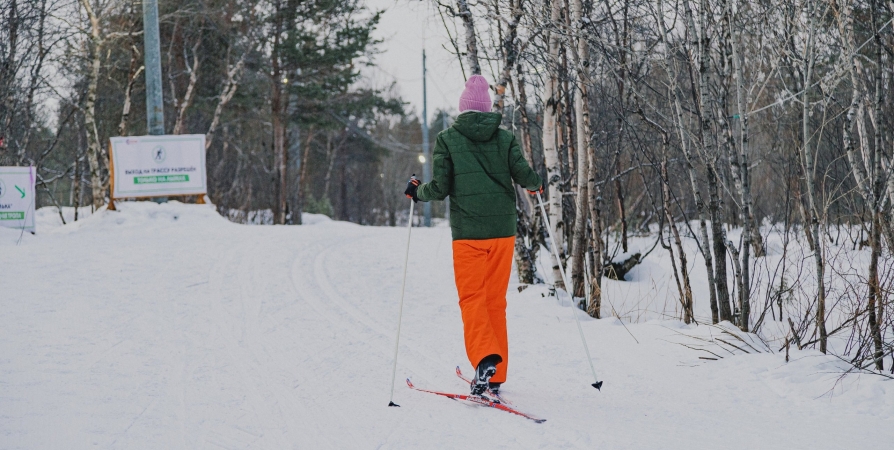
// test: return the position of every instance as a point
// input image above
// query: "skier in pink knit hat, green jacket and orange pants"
(475, 162)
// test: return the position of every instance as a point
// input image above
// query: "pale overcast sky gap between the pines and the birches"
(406, 27)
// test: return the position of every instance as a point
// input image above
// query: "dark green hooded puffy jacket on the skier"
(475, 163)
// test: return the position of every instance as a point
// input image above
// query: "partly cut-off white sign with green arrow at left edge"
(17, 197)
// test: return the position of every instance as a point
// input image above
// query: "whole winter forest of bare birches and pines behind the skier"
(729, 124)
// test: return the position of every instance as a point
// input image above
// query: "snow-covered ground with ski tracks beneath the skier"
(166, 326)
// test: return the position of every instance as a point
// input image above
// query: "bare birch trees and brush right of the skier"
(695, 117)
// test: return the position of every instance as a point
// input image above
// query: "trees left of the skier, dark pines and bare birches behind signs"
(276, 87)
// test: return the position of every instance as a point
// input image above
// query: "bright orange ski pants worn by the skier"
(482, 269)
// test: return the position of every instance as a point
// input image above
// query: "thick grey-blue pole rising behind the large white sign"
(155, 115)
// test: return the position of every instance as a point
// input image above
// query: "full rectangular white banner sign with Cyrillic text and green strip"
(149, 166)
